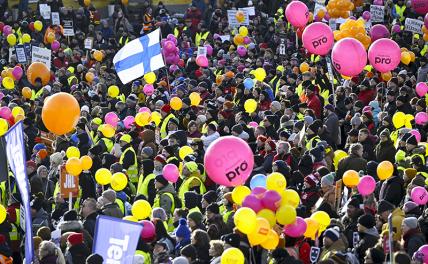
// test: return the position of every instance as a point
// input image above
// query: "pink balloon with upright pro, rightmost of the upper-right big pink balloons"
(384, 55)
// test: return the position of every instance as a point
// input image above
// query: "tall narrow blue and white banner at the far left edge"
(15, 151)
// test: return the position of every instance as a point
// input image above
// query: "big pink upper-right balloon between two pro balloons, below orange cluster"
(349, 57)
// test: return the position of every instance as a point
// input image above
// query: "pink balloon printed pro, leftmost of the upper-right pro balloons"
(318, 38)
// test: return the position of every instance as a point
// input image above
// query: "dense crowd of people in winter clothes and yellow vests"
(305, 120)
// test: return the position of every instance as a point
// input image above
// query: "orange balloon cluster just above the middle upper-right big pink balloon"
(353, 29)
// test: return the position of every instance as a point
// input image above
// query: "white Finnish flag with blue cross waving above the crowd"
(139, 57)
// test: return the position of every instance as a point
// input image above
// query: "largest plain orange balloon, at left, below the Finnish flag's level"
(60, 113)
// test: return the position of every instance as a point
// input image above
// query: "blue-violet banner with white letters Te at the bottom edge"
(116, 239)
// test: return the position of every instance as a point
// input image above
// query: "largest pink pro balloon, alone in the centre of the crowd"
(229, 161)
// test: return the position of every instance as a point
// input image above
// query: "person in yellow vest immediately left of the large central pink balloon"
(191, 180)
